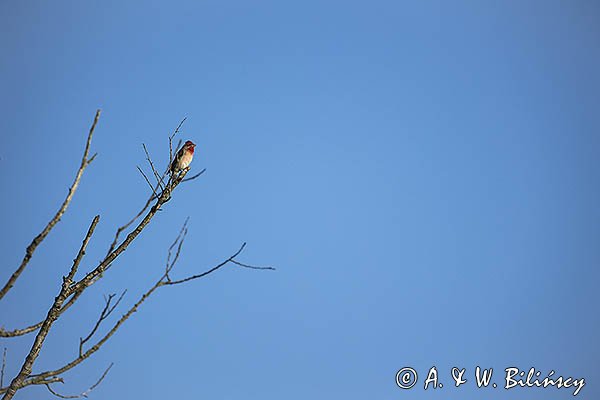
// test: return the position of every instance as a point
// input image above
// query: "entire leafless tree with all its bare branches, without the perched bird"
(70, 289)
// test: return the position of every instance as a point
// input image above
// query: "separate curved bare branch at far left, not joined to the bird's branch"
(39, 238)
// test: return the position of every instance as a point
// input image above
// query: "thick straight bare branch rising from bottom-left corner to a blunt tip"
(53, 314)
